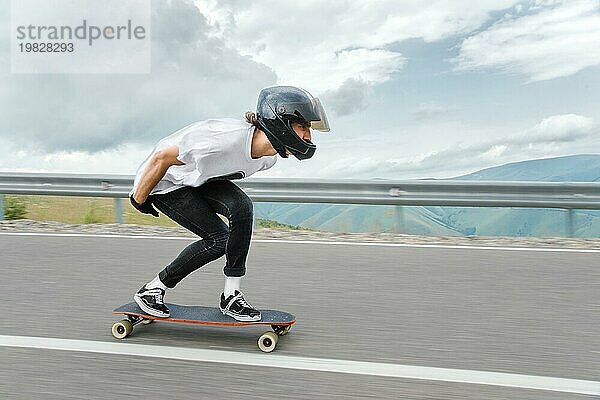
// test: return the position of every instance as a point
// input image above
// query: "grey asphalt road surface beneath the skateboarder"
(522, 312)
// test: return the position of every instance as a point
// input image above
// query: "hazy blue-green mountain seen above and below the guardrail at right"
(456, 221)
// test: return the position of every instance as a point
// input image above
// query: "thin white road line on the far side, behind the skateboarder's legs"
(321, 242)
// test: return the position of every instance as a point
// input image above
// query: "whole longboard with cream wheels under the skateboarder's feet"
(280, 321)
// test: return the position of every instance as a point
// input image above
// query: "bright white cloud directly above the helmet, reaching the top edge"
(320, 45)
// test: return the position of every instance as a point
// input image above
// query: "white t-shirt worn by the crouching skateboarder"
(215, 148)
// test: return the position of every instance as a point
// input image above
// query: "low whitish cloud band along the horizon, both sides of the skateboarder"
(556, 135)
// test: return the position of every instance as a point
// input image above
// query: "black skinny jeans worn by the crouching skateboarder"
(196, 208)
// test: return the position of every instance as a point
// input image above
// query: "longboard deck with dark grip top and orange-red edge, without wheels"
(207, 315)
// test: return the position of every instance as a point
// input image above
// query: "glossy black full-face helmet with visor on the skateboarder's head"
(278, 107)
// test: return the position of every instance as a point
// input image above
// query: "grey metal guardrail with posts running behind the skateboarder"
(563, 195)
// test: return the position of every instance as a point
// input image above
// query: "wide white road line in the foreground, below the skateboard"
(309, 364)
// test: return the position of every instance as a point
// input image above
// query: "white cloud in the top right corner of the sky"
(558, 39)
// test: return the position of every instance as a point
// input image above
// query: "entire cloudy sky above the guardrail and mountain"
(413, 88)
